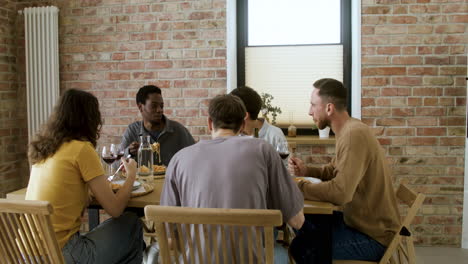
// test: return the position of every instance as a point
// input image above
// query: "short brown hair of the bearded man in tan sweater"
(333, 91)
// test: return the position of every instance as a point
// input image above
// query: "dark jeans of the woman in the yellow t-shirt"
(117, 240)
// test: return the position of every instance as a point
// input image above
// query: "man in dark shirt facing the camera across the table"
(171, 135)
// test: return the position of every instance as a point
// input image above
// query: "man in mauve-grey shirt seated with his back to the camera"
(229, 171)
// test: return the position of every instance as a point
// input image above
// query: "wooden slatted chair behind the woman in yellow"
(26, 233)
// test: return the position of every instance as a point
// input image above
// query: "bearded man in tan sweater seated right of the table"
(358, 179)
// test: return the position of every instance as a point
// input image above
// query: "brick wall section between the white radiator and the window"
(112, 49)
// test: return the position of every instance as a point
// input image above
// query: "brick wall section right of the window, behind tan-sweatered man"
(413, 94)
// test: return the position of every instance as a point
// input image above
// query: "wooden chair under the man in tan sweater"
(401, 248)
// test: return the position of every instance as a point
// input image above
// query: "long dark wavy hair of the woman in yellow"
(75, 117)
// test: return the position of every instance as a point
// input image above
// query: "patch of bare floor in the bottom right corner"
(440, 255)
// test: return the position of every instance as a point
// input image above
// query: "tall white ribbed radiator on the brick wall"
(42, 64)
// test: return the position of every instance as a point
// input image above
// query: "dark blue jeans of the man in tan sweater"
(347, 243)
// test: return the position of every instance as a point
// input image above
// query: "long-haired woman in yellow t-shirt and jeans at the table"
(64, 163)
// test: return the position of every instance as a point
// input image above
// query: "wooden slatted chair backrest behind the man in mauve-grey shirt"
(214, 235)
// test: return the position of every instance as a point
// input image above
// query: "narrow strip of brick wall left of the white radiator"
(13, 163)
